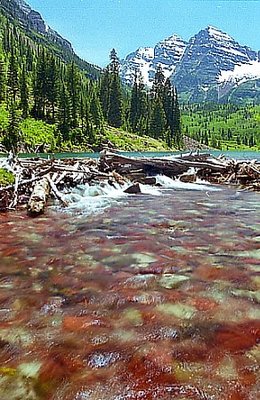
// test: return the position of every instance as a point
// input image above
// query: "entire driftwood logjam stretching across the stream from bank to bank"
(38, 179)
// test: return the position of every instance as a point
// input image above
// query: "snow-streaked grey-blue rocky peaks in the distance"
(211, 66)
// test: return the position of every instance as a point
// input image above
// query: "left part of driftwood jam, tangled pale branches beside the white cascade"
(37, 179)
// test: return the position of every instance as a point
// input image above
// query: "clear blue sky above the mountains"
(94, 27)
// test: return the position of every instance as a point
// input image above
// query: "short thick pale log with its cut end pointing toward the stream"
(38, 199)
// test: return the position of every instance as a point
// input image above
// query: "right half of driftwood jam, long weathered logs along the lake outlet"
(216, 170)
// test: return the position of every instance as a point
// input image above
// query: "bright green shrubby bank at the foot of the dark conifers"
(36, 135)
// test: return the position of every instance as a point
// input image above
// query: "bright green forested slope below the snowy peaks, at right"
(225, 126)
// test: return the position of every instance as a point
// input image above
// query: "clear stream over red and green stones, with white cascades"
(145, 297)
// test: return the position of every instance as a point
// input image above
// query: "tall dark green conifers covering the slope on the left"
(36, 83)
